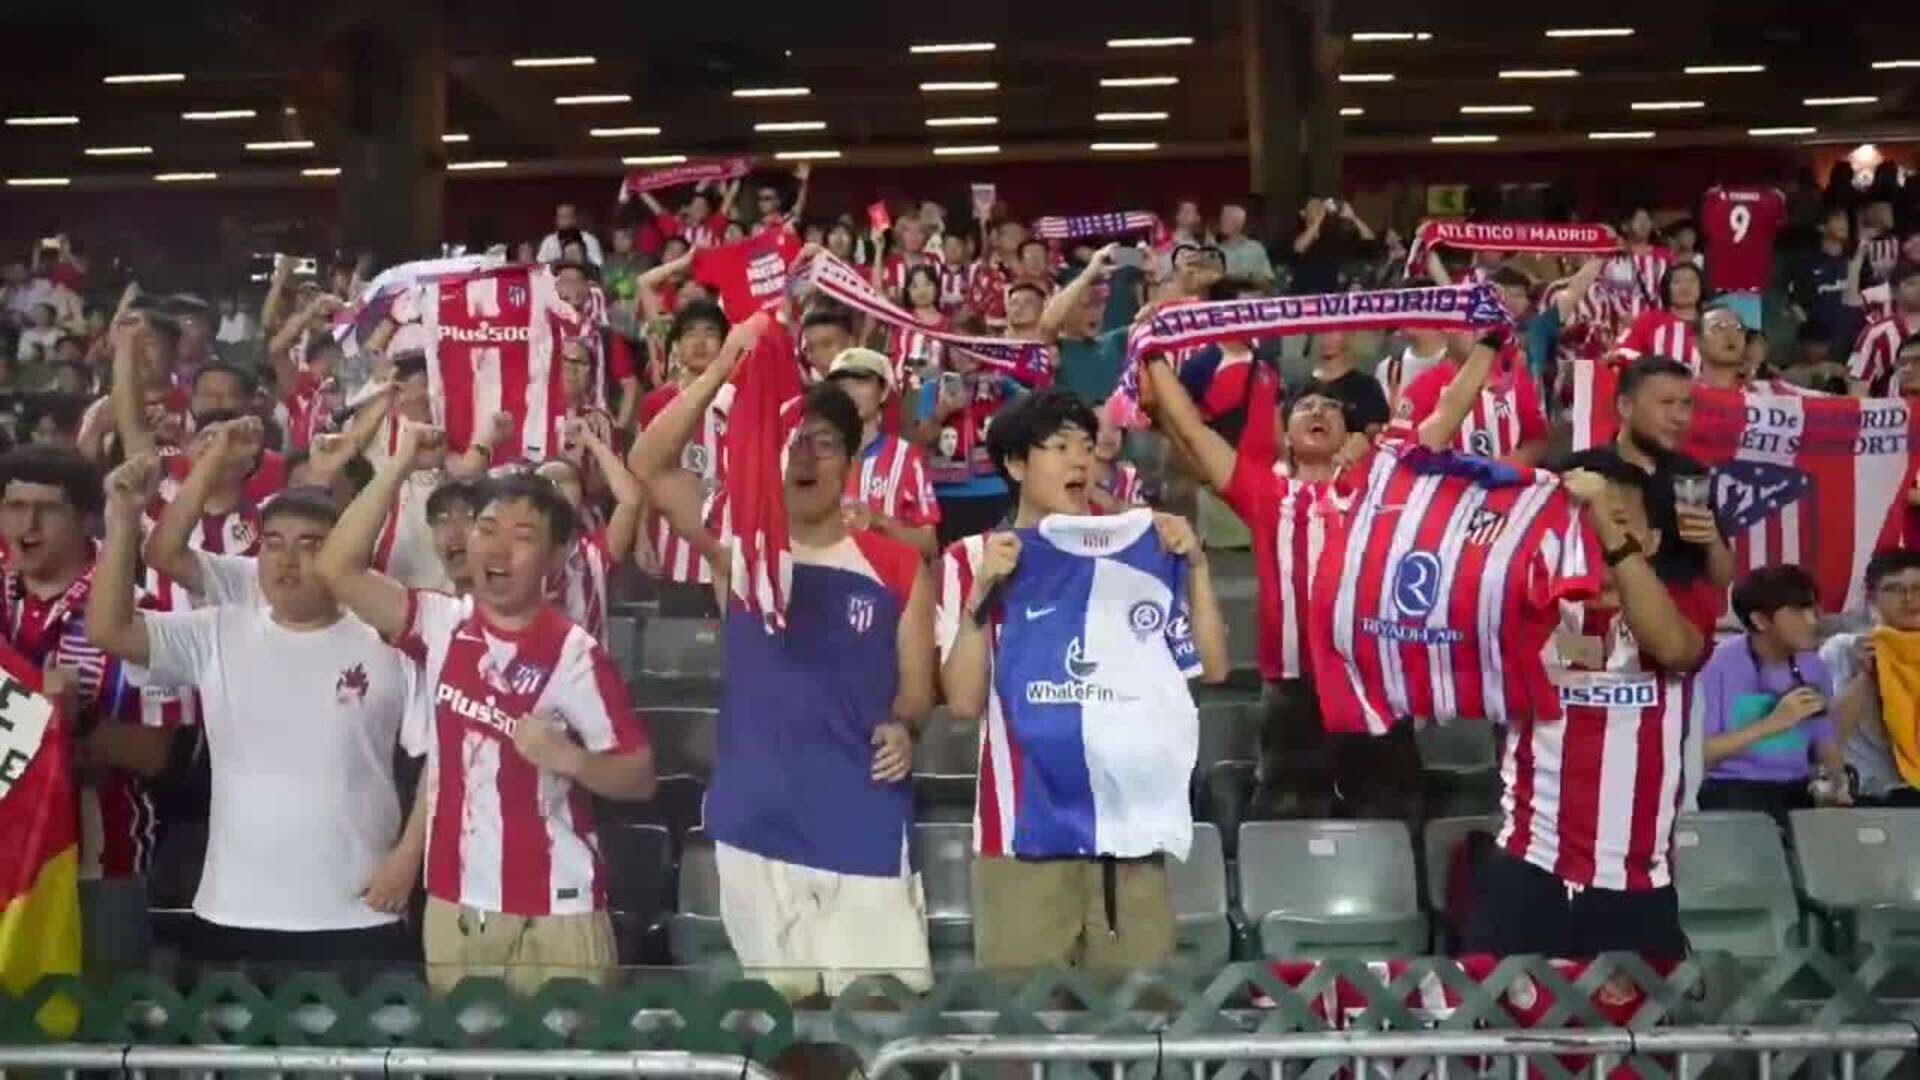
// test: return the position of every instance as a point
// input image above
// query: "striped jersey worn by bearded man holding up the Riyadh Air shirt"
(1593, 797)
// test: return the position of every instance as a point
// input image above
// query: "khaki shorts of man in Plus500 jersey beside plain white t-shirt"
(525, 950)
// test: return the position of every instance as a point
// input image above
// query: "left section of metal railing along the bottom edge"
(393, 1062)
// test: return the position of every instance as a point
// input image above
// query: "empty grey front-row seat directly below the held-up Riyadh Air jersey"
(1332, 889)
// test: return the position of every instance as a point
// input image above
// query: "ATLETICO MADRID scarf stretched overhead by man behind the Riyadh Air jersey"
(1193, 326)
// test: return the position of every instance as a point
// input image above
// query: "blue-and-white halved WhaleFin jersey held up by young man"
(1092, 679)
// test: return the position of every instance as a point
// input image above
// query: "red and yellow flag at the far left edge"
(39, 843)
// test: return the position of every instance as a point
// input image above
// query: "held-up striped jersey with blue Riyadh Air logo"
(1439, 591)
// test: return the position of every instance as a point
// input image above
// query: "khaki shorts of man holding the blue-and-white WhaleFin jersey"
(1053, 914)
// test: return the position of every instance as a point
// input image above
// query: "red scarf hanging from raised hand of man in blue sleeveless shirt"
(757, 431)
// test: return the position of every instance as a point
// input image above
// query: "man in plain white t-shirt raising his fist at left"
(302, 706)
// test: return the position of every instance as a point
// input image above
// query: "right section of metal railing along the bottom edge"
(1689, 1048)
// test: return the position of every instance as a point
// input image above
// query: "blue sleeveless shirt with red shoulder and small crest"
(798, 714)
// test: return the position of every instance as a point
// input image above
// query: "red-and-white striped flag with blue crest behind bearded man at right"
(1796, 479)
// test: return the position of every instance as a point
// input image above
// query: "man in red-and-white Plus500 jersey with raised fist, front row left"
(529, 720)
